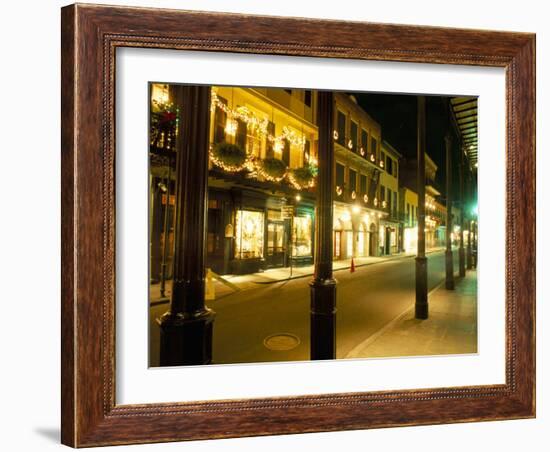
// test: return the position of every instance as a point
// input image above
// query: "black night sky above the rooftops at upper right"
(397, 115)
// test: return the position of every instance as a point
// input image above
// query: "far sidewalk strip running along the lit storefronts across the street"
(231, 283)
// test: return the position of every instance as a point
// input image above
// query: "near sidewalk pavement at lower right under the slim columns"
(450, 329)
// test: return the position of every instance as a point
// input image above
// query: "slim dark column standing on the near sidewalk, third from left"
(421, 305)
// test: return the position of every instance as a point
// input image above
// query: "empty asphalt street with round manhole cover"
(368, 300)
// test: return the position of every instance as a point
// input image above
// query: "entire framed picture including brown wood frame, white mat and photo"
(282, 225)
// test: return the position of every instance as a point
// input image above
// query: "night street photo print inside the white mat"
(295, 224)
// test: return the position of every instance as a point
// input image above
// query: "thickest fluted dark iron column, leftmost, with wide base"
(186, 329)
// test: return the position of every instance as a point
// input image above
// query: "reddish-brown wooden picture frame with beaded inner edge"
(90, 36)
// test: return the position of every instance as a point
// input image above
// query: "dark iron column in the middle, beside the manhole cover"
(323, 285)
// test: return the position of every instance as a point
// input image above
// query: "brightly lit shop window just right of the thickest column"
(249, 234)
